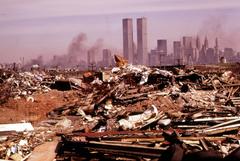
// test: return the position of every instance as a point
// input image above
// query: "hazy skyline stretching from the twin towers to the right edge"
(188, 51)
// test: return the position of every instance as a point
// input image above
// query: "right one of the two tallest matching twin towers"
(142, 41)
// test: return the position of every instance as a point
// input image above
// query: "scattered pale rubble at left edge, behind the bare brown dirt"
(23, 84)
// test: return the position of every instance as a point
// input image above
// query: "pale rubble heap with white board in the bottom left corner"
(17, 144)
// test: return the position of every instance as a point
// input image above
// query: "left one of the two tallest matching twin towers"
(128, 39)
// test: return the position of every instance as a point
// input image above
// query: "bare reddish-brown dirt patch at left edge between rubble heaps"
(19, 110)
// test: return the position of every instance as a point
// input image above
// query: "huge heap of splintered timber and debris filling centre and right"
(140, 113)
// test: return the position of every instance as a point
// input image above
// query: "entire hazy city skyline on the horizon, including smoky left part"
(189, 50)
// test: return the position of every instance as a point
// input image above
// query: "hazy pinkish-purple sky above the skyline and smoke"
(29, 28)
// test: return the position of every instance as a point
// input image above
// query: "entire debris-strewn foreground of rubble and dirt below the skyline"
(128, 112)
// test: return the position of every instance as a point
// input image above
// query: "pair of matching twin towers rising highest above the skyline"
(129, 52)
